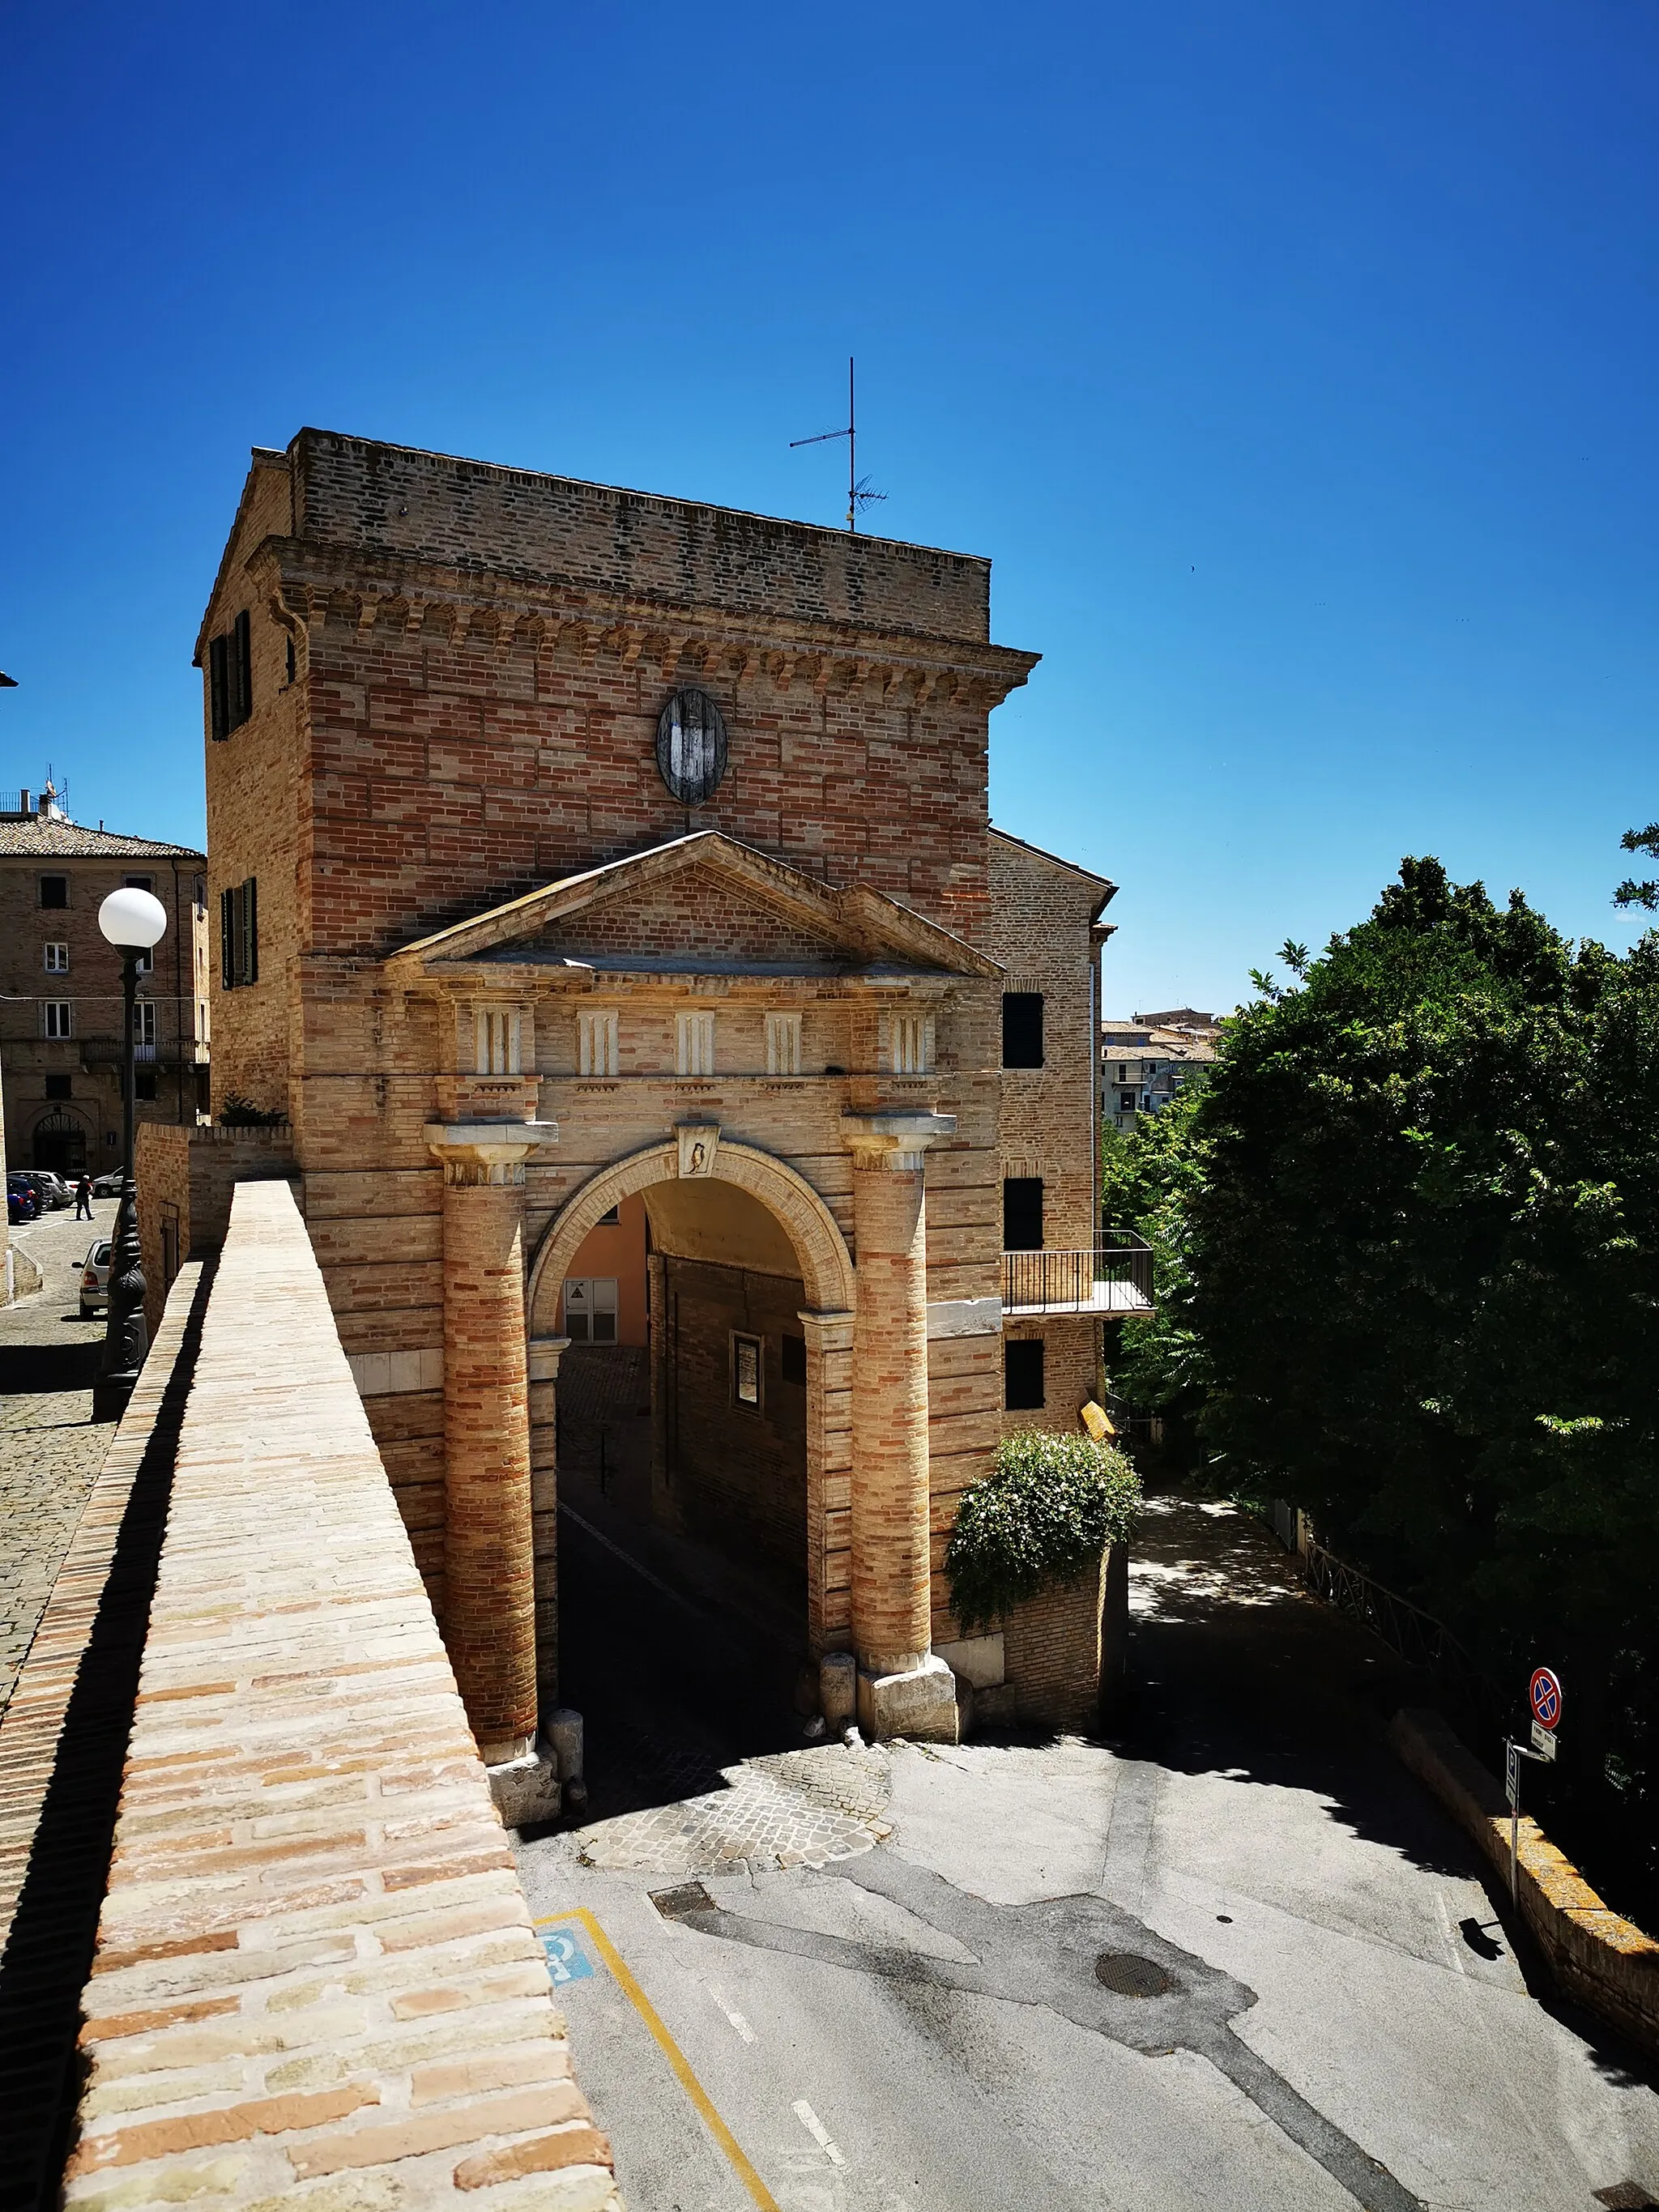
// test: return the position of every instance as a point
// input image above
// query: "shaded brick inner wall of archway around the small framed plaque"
(738, 1474)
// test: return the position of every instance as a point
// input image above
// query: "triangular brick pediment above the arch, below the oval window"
(698, 901)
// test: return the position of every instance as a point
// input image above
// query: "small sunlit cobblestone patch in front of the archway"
(784, 1811)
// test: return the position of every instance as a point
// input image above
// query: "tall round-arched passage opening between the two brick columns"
(689, 1472)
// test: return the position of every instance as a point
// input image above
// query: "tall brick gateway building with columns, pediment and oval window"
(576, 853)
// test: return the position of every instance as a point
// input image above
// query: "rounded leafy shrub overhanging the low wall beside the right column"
(1041, 1519)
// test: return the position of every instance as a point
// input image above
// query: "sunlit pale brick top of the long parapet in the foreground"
(315, 1957)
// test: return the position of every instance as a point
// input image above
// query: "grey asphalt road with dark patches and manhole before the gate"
(1231, 1959)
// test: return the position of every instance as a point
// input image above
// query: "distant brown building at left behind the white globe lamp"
(61, 988)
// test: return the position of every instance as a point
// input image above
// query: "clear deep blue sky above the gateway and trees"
(1295, 364)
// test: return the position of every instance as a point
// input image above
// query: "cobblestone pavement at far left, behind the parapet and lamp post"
(50, 1448)
